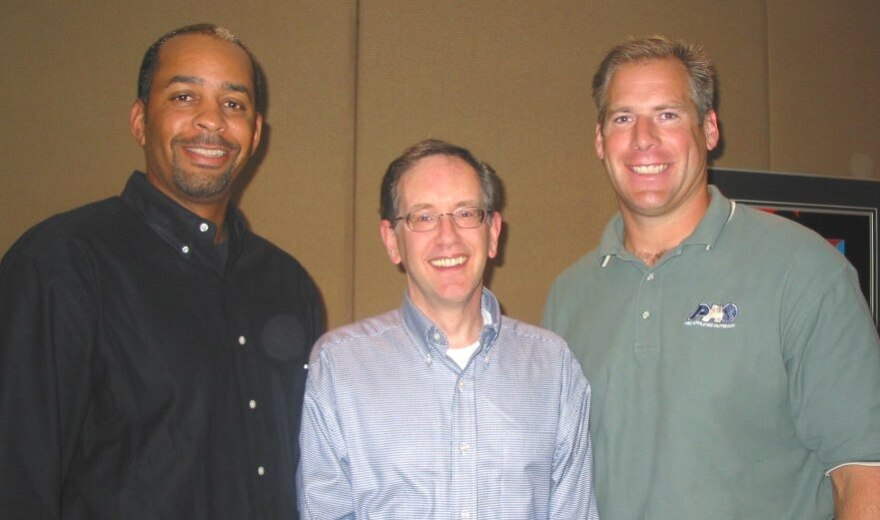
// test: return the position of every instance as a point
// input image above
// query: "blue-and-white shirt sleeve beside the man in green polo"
(572, 494)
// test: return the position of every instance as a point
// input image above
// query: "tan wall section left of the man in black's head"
(65, 91)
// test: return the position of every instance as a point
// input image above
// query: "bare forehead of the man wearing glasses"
(439, 179)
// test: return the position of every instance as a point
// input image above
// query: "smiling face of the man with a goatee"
(201, 125)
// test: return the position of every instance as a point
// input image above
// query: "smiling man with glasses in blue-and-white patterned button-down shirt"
(444, 408)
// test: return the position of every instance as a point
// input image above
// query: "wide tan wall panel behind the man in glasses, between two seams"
(511, 82)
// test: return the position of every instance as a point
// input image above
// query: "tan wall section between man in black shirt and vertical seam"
(301, 196)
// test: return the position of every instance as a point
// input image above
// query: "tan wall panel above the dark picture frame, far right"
(824, 77)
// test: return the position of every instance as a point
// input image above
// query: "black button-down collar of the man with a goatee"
(191, 236)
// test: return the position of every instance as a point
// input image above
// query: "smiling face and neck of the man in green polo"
(653, 144)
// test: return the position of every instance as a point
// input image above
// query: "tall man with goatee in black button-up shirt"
(152, 349)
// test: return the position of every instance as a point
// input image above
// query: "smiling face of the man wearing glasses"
(444, 266)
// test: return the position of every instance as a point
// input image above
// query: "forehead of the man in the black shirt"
(203, 56)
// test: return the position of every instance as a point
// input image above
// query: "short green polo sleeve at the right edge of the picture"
(832, 357)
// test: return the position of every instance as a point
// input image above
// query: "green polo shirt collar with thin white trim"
(718, 214)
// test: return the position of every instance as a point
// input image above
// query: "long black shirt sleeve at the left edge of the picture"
(45, 334)
